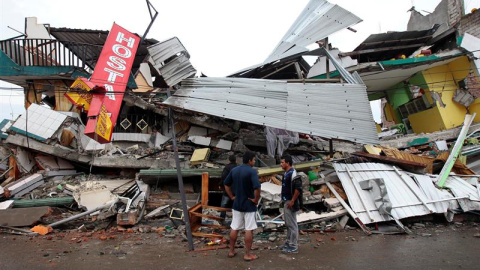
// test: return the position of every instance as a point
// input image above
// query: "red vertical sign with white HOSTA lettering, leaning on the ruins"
(111, 76)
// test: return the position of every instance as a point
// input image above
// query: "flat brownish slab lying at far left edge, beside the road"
(18, 217)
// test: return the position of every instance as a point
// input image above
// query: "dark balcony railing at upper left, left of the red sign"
(48, 52)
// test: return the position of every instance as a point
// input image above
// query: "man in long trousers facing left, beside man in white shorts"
(290, 193)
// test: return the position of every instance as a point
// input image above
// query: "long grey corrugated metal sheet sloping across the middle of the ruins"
(340, 111)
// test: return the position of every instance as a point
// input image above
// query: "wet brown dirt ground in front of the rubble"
(436, 246)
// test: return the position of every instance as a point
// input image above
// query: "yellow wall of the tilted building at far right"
(442, 79)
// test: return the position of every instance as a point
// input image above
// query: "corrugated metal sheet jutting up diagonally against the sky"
(318, 20)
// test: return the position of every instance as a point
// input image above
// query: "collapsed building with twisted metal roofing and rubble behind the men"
(320, 114)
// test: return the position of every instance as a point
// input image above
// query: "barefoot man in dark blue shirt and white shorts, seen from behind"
(243, 187)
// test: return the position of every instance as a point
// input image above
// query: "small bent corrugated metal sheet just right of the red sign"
(171, 59)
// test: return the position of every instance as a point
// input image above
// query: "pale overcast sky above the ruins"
(221, 36)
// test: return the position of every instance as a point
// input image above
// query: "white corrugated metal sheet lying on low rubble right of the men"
(404, 202)
